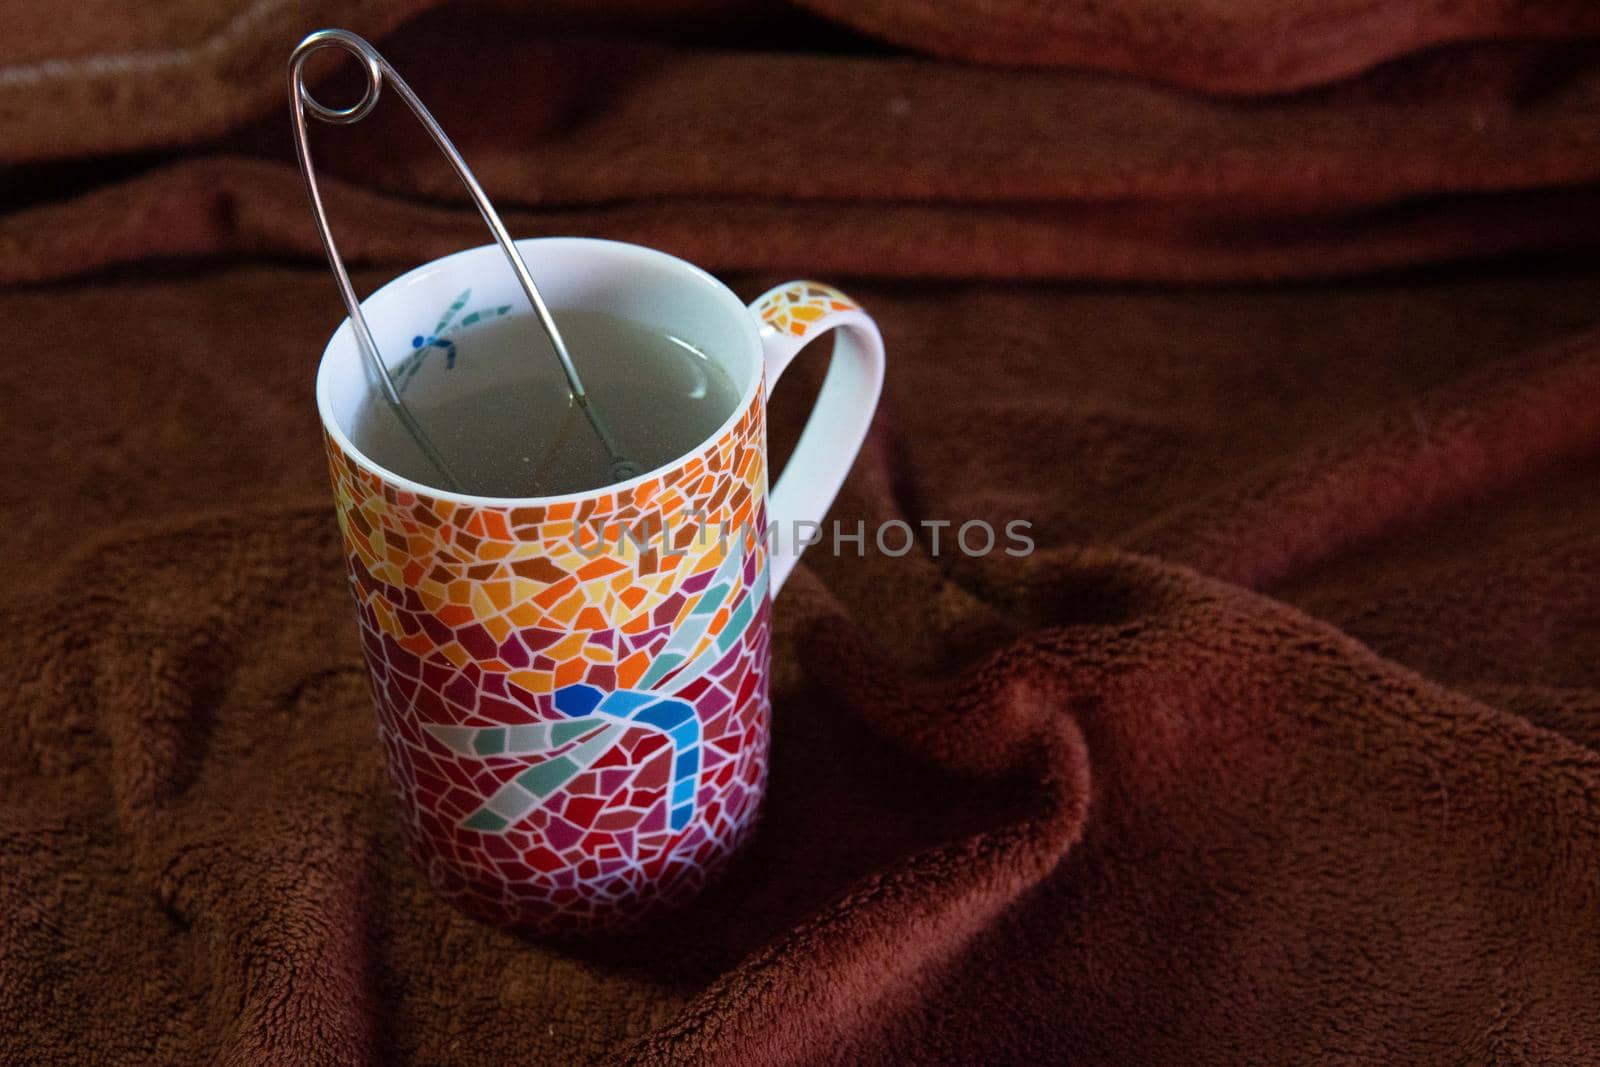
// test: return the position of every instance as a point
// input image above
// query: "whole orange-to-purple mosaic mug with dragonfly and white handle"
(574, 692)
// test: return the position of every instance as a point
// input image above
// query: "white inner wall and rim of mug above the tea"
(631, 282)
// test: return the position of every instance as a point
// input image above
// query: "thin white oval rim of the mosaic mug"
(697, 276)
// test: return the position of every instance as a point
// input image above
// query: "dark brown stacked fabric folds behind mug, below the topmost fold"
(898, 167)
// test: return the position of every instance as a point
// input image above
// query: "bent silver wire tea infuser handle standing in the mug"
(378, 71)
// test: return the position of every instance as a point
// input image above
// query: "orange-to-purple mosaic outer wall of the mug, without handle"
(575, 719)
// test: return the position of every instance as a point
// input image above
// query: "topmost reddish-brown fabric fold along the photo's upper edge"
(95, 78)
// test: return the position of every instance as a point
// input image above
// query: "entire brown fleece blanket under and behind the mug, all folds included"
(1284, 748)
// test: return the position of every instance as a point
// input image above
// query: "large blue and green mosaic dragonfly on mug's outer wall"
(591, 722)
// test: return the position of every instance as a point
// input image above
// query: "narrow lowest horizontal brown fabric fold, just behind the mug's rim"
(246, 207)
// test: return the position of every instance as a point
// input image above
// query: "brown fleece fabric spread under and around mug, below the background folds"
(1084, 805)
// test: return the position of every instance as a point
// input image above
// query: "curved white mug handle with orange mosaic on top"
(793, 316)
